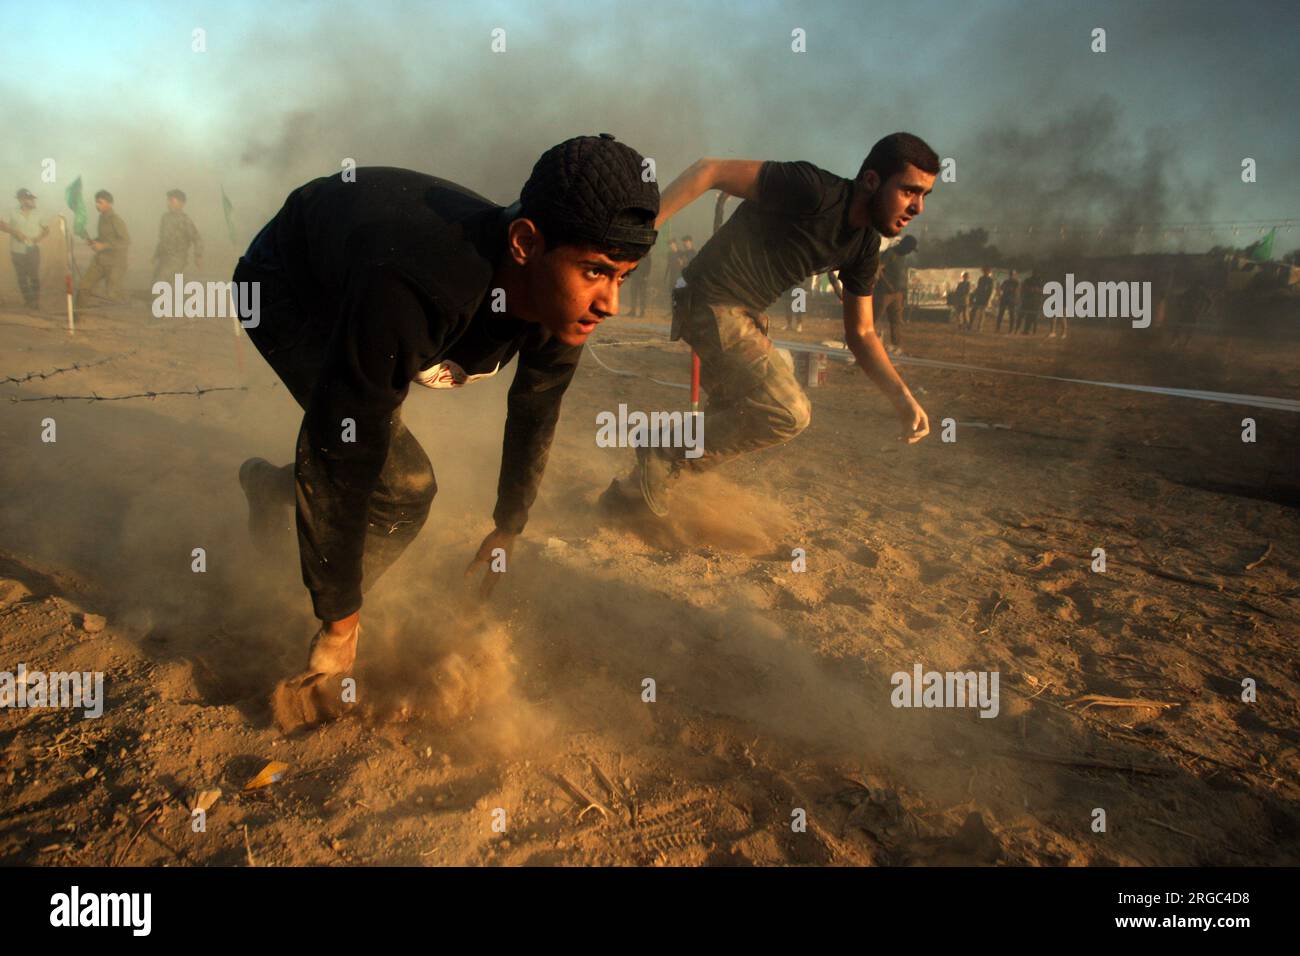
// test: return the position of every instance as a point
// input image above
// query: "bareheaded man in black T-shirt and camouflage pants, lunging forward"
(796, 220)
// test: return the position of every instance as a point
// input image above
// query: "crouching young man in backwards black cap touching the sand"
(401, 279)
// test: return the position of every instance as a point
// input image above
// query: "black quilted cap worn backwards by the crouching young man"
(592, 189)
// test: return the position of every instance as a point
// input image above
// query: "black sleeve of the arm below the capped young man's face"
(534, 409)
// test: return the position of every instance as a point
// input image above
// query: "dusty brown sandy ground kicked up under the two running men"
(773, 687)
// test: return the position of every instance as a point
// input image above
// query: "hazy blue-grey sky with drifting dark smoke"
(1042, 128)
